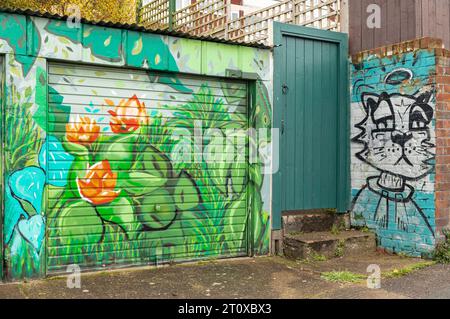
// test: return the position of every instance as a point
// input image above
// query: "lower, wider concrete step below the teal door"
(328, 245)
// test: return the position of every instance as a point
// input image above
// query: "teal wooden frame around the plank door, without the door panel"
(281, 30)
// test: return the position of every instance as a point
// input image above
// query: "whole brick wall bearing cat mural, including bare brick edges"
(400, 117)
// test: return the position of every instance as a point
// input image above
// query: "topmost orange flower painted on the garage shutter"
(129, 116)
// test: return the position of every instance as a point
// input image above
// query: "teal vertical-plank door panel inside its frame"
(309, 167)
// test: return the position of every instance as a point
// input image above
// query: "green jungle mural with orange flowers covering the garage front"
(97, 185)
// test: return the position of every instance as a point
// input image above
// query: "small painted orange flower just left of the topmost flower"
(85, 131)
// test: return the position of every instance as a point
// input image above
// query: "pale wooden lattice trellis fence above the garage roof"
(213, 17)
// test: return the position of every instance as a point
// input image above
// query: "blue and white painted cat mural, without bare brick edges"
(394, 151)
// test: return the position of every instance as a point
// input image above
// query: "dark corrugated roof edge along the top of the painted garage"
(132, 27)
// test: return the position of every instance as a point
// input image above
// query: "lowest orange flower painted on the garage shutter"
(98, 185)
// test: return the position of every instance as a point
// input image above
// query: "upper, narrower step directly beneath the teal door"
(313, 221)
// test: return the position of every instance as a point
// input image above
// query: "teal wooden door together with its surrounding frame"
(312, 116)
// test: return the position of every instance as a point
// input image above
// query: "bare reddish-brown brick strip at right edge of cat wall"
(443, 140)
